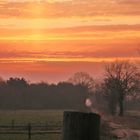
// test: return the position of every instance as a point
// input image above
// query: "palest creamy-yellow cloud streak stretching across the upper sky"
(42, 23)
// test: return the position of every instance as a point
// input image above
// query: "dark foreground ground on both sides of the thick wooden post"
(112, 128)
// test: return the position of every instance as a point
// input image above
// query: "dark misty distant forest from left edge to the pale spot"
(17, 93)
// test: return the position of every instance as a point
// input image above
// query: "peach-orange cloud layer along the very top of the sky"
(70, 8)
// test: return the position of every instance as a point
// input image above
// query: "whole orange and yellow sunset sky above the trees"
(50, 40)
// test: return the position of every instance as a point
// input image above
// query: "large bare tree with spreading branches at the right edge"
(121, 79)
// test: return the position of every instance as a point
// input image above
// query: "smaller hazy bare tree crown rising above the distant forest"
(84, 79)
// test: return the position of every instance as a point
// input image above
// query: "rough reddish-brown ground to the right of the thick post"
(123, 128)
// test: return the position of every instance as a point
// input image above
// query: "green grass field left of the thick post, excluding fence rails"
(35, 117)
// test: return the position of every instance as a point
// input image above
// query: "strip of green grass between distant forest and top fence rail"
(53, 117)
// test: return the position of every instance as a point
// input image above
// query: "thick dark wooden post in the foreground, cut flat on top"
(81, 126)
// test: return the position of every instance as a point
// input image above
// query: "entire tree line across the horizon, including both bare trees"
(120, 83)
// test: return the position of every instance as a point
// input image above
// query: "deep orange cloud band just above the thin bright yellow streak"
(70, 49)
